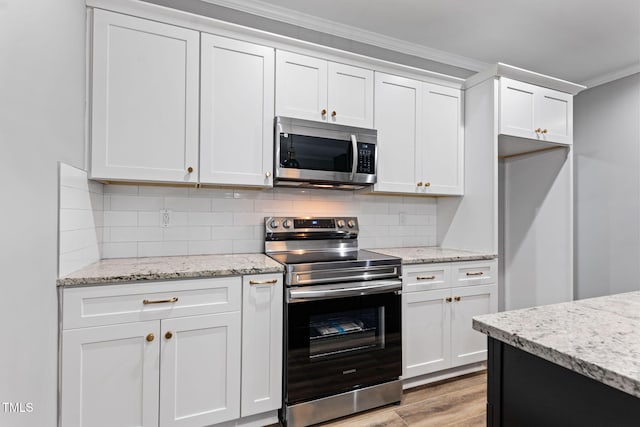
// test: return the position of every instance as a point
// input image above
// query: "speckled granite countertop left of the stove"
(174, 267)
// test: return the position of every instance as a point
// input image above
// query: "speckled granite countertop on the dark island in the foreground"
(596, 337)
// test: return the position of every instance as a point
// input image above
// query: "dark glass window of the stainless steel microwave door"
(313, 153)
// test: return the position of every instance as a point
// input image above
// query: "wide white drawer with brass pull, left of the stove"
(110, 304)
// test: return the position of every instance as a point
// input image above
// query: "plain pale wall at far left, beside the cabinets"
(42, 68)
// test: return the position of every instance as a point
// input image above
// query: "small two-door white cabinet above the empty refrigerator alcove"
(534, 112)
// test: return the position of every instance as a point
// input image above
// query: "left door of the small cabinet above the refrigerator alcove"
(517, 108)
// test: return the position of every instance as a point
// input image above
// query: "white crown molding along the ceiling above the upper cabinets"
(278, 13)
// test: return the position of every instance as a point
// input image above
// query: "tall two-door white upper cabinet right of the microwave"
(420, 138)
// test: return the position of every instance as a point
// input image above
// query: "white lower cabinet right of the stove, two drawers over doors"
(437, 331)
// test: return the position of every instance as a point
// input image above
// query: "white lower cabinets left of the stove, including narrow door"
(171, 361)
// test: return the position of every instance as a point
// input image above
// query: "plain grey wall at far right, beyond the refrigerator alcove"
(607, 188)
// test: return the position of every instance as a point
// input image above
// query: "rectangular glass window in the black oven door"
(338, 334)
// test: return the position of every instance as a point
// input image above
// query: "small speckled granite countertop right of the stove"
(433, 254)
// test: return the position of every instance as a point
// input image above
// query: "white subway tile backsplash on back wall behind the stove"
(144, 221)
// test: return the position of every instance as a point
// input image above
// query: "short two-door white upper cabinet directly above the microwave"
(315, 89)
